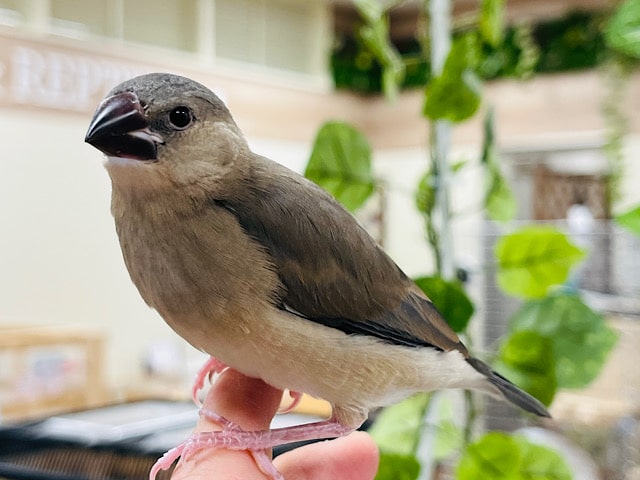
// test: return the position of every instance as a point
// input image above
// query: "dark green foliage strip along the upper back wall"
(574, 42)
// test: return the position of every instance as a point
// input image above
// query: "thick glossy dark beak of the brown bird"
(119, 128)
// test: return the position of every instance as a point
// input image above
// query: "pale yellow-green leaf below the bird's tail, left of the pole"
(398, 428)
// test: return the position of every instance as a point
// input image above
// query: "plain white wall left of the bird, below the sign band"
(60, 262)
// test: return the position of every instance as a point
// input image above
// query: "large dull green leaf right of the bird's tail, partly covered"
(580, 337)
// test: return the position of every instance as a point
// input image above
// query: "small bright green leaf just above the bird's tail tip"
(527, 359)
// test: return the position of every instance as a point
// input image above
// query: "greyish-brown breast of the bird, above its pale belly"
(199, 270)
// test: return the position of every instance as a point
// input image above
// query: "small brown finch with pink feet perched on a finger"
(264, 270)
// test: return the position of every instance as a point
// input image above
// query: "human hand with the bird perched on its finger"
(354, 457)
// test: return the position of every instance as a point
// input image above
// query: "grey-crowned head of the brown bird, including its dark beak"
(170, 129)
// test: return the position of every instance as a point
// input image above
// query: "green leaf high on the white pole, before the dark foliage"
(455, 94)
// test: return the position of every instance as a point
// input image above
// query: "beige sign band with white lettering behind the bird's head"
(64, 75)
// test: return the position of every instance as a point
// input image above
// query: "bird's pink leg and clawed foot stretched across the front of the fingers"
(233, 437)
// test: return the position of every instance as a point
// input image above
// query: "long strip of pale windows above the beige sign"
(283, 34)
